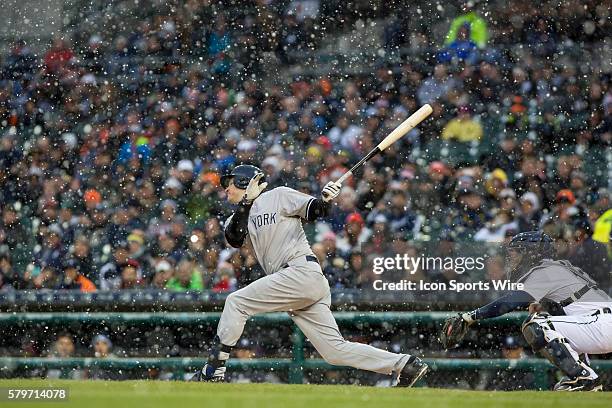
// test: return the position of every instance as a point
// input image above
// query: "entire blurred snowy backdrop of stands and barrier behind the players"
(118, 118)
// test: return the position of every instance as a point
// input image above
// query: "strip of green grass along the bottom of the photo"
(153, 394)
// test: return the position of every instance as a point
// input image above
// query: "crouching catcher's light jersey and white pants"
(587, 325)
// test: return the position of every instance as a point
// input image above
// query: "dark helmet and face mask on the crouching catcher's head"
(526, 250)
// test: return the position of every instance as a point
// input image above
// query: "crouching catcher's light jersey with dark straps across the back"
(560, 280)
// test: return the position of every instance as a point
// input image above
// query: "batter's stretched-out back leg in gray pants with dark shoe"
(319, 326)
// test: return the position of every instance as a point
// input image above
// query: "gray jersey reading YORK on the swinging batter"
(275, 227)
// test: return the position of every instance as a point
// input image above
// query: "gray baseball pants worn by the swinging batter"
(303, 292)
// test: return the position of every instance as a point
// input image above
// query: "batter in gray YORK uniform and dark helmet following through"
(272, 222)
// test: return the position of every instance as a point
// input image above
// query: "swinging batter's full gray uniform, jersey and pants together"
(294, 284)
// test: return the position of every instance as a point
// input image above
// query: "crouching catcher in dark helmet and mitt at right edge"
(579, 316)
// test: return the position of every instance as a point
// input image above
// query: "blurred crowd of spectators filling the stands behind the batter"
(110, 160)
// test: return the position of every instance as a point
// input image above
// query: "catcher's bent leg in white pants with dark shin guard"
(561, 339)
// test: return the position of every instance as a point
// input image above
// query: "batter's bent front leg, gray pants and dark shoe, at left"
(286, 290)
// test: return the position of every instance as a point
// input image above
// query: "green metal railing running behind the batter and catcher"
(295, 365)
